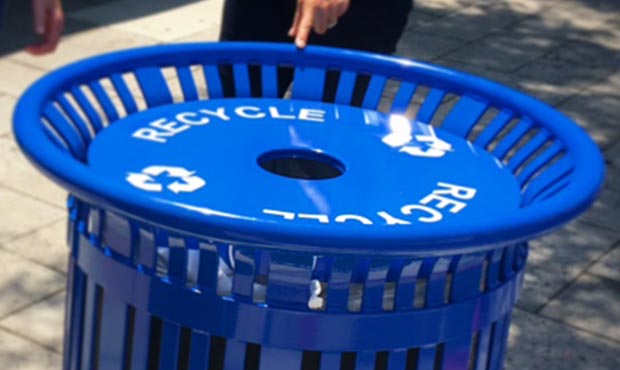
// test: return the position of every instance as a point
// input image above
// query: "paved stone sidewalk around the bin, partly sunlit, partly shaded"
(566, 52)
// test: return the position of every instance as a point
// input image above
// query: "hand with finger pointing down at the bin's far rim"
(320, 15)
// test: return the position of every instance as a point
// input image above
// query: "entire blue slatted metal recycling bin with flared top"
(374, 215)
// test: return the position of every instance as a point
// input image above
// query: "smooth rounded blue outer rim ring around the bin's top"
(480, 234)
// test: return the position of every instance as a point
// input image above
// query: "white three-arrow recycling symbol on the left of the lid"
(187, 181)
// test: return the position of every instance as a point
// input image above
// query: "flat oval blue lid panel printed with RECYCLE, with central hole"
(307, 163)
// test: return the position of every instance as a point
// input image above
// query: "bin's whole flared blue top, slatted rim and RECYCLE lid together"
(384, 181)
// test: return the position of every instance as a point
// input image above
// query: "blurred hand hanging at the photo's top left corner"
(49, 22)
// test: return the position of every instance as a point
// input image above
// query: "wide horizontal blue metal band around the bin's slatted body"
(287, 328)
